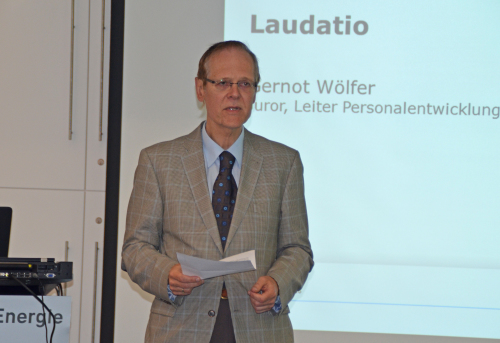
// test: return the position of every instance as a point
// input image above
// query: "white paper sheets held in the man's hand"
(206, 269)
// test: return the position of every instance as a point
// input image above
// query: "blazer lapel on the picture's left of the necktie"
(193, 161)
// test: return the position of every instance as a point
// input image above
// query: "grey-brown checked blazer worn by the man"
(170, 211)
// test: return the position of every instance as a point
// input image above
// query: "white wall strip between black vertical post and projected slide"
(159, 104)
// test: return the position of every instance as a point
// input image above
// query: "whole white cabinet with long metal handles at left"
(55, 182)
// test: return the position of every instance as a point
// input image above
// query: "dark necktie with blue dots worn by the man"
(224, 195)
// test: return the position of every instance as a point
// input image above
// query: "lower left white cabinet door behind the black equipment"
(42, 222)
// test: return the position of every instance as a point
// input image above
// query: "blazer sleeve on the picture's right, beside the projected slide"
(294, 255)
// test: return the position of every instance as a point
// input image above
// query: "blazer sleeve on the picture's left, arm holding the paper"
(141, 253)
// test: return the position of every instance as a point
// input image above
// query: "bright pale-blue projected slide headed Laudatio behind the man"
(394, 107)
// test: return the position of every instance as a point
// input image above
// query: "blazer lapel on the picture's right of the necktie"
(250, 170)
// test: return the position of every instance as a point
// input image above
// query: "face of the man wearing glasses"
(227, 109)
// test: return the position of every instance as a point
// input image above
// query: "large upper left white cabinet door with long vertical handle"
(35, 94)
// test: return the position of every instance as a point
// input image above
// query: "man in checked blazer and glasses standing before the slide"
(218, 192)
